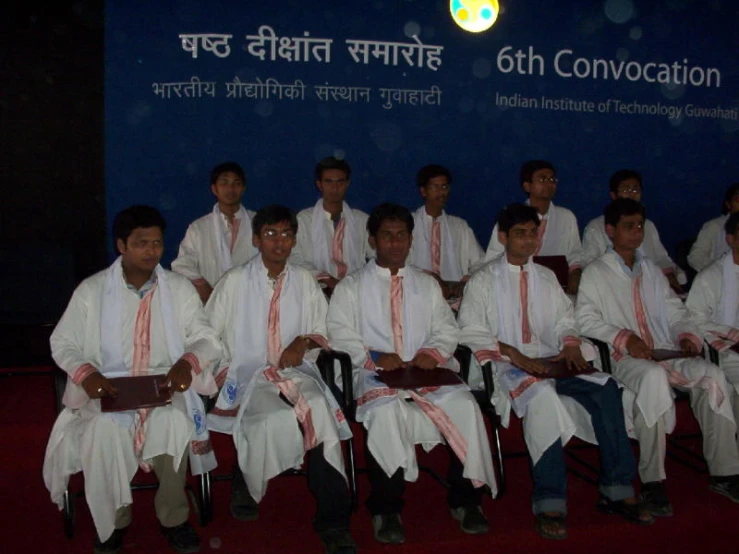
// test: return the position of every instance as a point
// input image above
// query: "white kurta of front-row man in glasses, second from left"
(265, 429)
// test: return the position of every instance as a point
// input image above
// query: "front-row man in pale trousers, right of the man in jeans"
(626, 301)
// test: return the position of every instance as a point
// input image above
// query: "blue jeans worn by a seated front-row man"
(618, 465)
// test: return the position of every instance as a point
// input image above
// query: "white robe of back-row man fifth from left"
(595, 242)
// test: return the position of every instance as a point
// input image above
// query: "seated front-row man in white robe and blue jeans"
(514, 312)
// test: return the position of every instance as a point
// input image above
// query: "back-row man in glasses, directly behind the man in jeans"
(558, 233)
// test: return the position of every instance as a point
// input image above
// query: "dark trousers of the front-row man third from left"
(386, 496)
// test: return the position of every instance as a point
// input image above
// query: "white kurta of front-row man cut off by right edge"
(705, 301)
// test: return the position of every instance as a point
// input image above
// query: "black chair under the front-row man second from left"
(325, 363)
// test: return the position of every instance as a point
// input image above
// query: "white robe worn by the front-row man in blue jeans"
(547, 415)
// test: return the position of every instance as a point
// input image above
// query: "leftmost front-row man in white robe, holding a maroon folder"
(133, 319)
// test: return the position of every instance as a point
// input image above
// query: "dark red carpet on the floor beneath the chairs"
(703, 520)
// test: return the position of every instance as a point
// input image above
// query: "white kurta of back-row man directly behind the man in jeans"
(561, 238)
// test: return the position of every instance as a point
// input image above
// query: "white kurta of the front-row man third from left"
(359, 320)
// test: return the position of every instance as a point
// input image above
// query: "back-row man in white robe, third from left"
(443, 244)
